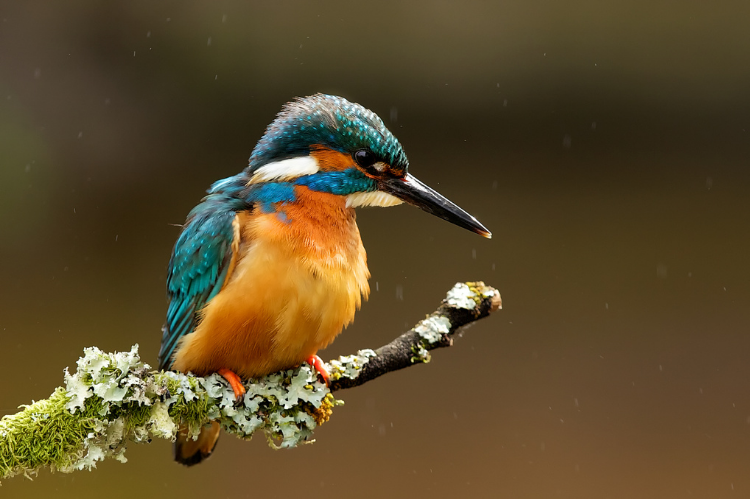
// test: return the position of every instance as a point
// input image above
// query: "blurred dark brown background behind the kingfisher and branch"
(605, 144)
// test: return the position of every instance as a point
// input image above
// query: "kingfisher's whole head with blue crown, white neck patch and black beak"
(331, 145)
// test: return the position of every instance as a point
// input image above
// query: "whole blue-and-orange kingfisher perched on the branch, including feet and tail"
(269, 267)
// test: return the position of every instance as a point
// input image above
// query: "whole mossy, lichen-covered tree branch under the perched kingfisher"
(116, 398)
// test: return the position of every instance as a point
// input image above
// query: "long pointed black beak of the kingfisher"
(414, 192)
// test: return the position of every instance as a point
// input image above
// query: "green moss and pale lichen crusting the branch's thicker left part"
(115, 398)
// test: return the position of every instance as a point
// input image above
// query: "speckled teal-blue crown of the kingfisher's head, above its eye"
(329, 121)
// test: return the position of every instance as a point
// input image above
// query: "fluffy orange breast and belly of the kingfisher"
(298, 279)
